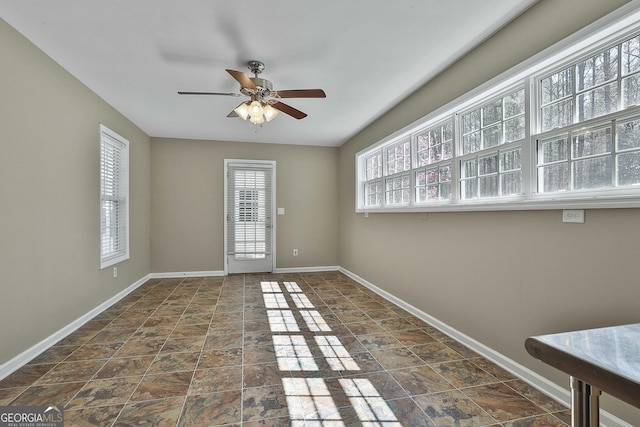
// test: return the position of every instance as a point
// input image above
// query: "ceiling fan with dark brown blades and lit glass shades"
(264, 102)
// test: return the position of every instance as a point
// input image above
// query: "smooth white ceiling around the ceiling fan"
(367, 55)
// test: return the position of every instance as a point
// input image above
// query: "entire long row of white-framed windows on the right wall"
(560, 131)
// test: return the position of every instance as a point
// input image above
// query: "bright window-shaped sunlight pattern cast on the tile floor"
(309, 400)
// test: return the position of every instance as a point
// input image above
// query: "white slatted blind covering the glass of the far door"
(249, 222)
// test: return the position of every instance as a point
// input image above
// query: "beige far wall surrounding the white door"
(187, 216)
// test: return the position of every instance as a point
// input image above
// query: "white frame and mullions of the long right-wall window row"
(606, 32)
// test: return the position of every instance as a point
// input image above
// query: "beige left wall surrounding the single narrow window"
(49, 215)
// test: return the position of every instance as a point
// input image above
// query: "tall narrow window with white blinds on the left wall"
(114, 198)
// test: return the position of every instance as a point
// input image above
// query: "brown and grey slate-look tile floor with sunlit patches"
(311, 349)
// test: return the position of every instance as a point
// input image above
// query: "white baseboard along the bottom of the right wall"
(541, 383)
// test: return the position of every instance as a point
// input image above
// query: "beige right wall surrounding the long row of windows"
(498, 277)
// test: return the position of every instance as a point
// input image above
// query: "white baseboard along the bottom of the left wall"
(26, 356)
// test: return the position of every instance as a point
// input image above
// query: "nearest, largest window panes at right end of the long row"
(589, 93)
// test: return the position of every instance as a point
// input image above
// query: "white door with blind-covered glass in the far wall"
(249, 234)
